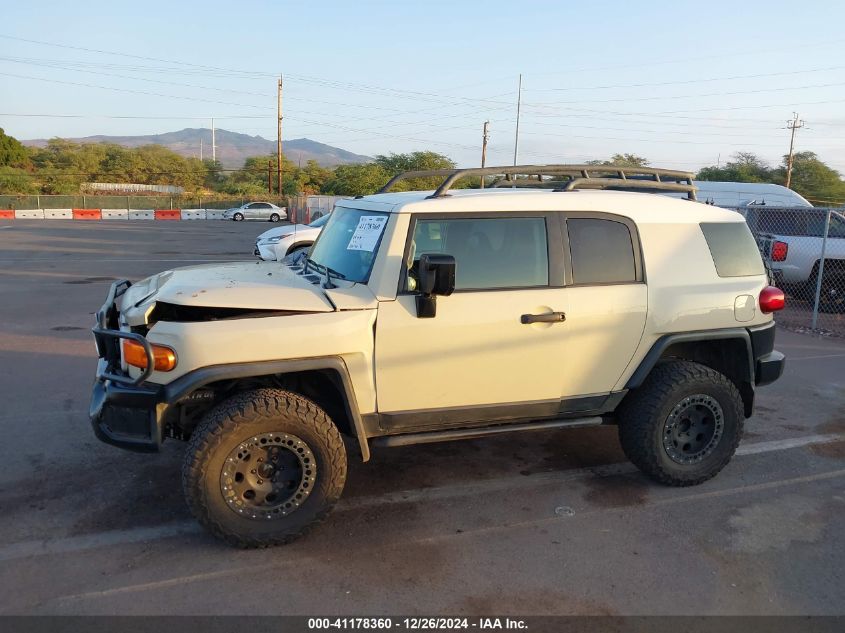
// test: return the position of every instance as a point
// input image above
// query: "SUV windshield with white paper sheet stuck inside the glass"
(349, 242)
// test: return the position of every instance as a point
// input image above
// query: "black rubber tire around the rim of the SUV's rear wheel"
(646, 410)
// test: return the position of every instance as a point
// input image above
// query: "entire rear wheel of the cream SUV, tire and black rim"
(682, 426)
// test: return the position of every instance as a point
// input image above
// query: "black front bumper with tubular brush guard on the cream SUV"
(124, 411)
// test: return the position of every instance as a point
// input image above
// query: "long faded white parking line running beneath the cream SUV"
(25, 549)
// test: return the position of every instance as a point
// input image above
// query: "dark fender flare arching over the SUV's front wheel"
(193, 380)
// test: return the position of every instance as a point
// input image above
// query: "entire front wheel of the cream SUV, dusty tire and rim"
(263, 467)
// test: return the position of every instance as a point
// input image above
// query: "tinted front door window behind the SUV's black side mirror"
(488, 252)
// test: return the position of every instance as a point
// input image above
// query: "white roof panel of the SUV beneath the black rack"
(640, 207)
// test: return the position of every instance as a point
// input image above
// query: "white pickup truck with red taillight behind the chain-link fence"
(791, 240)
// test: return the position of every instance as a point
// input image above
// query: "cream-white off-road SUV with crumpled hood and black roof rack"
(431, 316)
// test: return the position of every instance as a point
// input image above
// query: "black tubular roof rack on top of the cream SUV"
(562, 178)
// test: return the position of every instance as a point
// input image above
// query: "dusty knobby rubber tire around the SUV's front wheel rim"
(239, 418)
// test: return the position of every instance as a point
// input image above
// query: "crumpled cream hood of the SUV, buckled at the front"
(255, 285)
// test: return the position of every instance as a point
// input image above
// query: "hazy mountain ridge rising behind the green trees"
(232, 147)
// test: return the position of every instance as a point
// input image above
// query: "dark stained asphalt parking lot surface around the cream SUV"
(537, 523)
